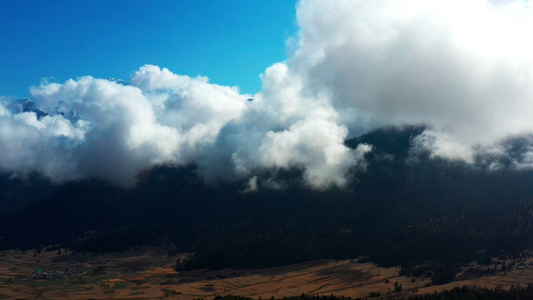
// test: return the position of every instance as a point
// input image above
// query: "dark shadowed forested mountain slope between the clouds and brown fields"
(400, 211)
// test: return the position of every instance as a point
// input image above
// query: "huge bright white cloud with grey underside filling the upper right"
(465, 68)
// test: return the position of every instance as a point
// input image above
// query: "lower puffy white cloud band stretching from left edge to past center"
(93, 127)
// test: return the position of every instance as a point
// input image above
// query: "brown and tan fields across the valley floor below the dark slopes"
(149, 273)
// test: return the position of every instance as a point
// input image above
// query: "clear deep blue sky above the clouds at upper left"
(231, 42)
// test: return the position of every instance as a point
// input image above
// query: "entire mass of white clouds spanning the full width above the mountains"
(464, 69)
